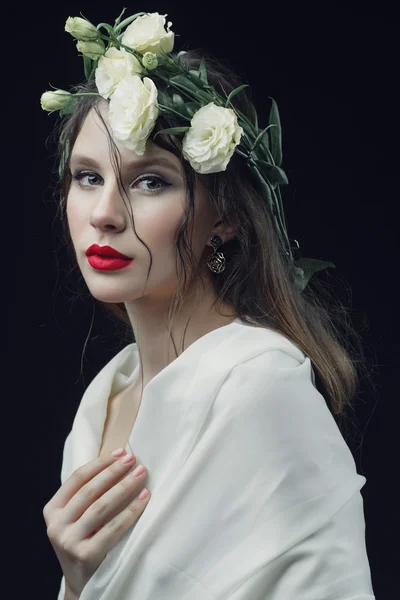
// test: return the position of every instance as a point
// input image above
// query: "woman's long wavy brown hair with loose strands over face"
(256, 282)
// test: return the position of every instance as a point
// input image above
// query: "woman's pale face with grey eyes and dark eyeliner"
(97, 214)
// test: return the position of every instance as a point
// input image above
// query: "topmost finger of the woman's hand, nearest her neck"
(78, 479)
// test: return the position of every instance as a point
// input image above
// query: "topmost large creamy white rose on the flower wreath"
(147, 34)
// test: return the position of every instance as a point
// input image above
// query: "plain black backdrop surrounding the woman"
(333, 70)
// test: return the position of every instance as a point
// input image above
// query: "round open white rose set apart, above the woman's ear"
(212, 138)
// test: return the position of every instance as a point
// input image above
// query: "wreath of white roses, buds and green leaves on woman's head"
(138, 53)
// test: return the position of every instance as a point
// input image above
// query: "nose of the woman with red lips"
(109, 211)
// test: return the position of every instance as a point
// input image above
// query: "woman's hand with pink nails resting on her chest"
(90, 512)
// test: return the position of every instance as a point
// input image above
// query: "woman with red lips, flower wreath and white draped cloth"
(252, 492)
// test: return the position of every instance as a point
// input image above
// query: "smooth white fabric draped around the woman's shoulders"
(255, 493)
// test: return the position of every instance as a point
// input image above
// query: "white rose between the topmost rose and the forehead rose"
(113, 67)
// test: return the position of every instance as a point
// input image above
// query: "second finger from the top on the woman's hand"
(94, 489)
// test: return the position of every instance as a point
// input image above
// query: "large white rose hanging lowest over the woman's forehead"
(133, 112)
